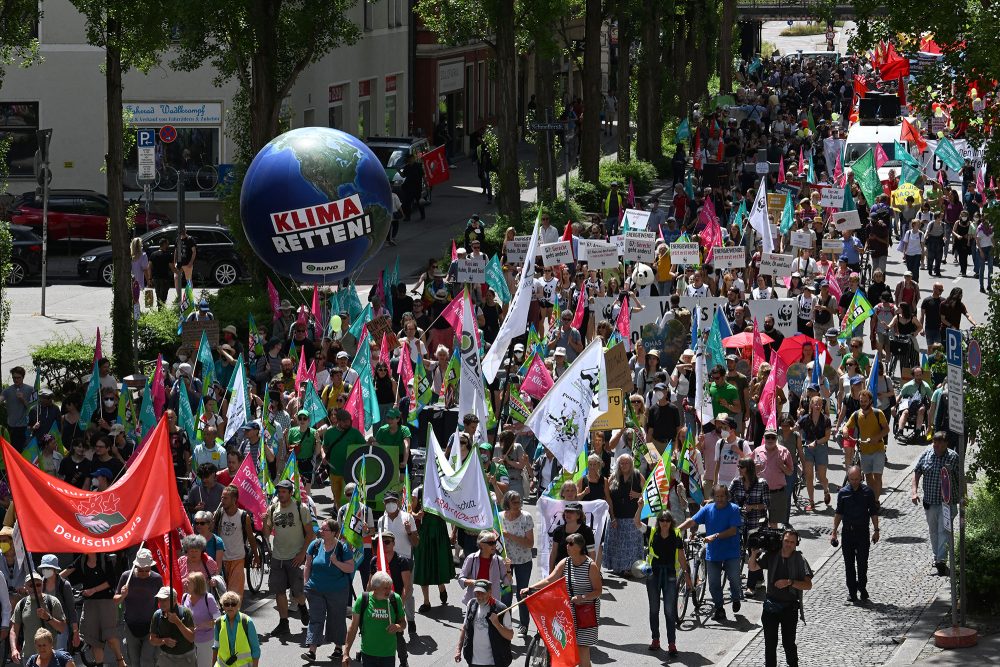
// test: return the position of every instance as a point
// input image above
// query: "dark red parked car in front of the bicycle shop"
(74, 214)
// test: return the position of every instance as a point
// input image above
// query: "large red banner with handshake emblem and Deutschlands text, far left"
(58, 518)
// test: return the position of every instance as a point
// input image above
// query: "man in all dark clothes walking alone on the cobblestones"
(856, 506)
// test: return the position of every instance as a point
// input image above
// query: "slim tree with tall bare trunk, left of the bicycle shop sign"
(132, 33)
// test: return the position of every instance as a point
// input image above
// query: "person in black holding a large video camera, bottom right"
(788, 574)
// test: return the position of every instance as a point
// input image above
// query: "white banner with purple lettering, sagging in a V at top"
(457, 496)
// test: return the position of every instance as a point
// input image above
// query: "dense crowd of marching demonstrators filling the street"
(738, 411)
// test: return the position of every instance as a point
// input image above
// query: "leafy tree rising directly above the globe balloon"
(265, 45)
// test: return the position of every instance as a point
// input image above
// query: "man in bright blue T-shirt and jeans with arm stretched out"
(722, 521)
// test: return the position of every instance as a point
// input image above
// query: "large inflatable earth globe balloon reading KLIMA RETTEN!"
(316, 204)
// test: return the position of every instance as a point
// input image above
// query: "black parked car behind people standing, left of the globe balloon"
(216, 262)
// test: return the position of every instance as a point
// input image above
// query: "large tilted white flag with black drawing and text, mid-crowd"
(563, 417)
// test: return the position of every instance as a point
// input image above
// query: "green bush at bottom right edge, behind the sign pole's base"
(982, 549)
